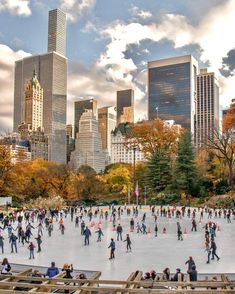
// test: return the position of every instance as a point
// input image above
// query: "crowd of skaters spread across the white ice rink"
(29, 227)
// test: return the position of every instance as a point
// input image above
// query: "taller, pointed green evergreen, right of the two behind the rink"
(185, 170)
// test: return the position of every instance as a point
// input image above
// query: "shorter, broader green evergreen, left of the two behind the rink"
(158, 173)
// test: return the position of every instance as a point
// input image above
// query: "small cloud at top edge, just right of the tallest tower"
(76, 8)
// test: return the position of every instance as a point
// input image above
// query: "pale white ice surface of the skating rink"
(148, 252)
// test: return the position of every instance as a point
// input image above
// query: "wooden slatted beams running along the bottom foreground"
(23, 282)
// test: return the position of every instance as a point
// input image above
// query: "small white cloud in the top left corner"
(16, 7)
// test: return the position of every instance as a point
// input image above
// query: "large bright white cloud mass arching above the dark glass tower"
(213, 34)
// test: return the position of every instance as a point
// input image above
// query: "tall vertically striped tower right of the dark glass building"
(207, 107)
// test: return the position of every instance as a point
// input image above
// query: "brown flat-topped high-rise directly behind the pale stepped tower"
(79, 108)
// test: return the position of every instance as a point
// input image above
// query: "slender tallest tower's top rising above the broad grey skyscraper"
(57, 31)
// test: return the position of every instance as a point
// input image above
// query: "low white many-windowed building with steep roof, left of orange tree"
(121, 151)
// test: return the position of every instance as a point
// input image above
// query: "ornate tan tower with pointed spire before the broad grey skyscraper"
(33, 103)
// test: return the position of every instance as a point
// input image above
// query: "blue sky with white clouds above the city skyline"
(110, 41)
